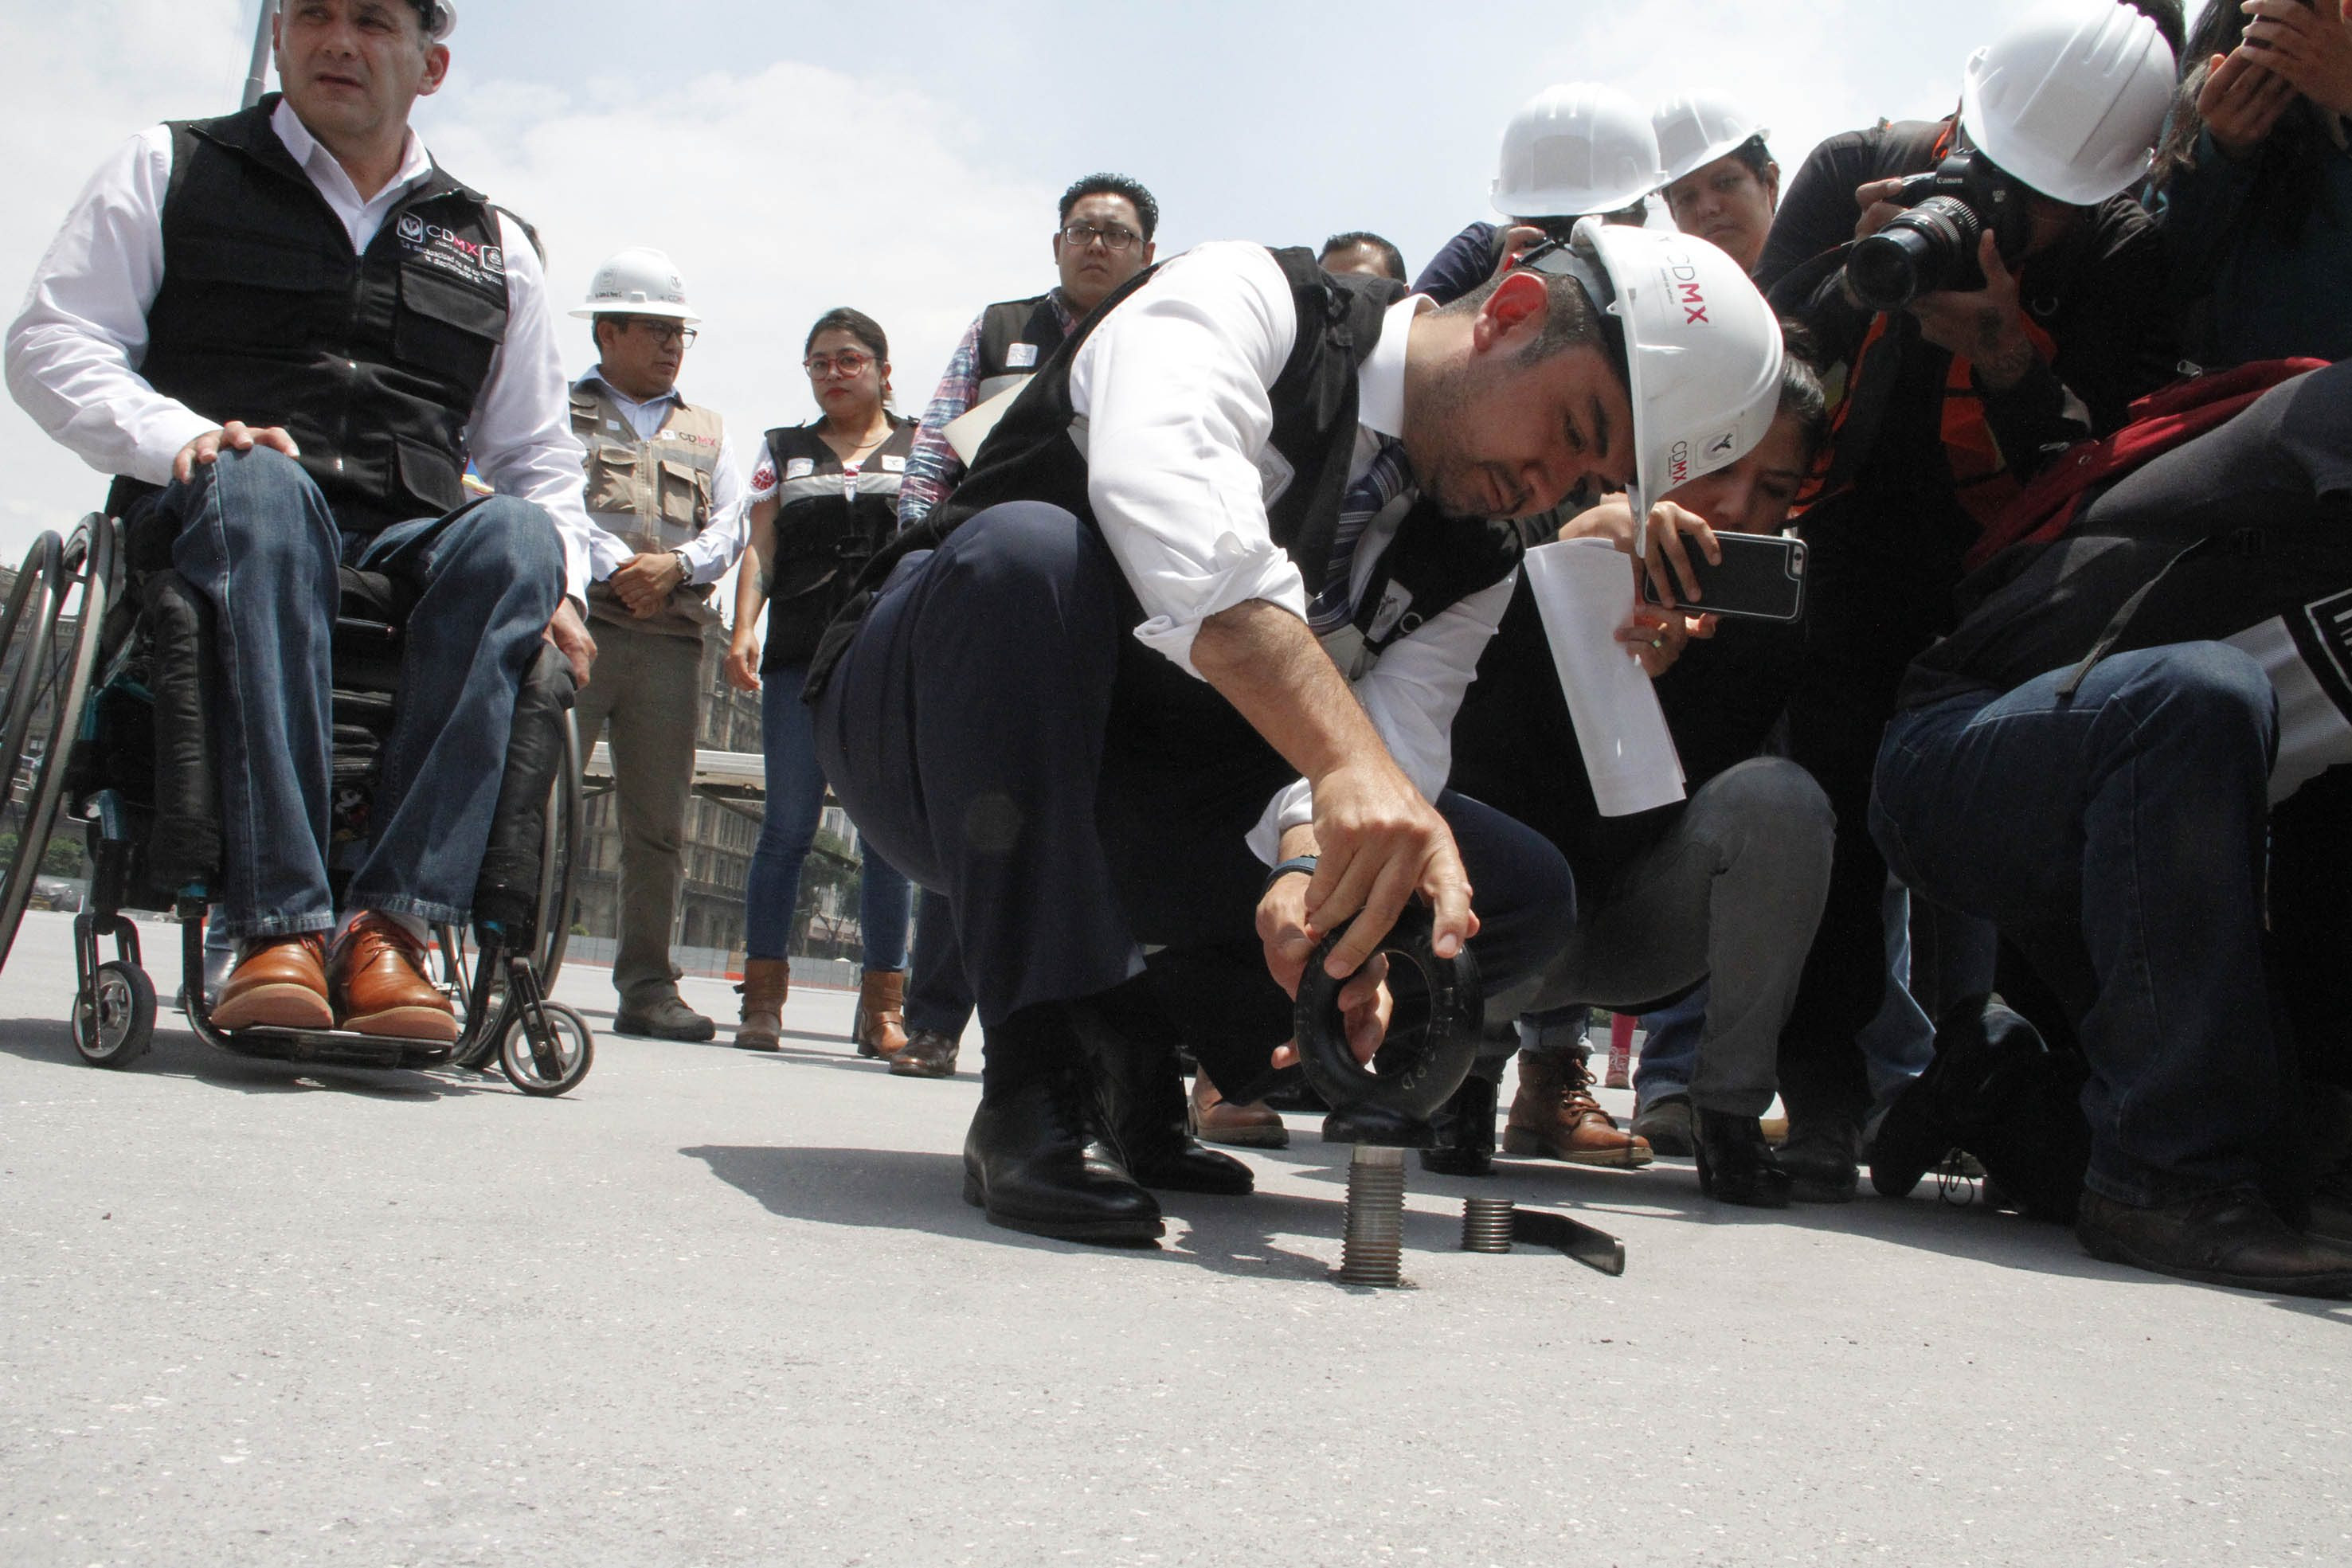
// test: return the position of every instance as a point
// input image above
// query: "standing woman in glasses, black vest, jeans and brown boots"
(824, 500)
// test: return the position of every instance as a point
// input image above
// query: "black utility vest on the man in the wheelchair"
(370, 363)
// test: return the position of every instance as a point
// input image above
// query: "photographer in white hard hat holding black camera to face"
(1993, 300)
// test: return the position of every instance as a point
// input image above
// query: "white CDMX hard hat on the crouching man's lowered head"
(1702, 349)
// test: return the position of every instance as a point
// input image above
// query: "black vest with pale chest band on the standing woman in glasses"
(827, 530)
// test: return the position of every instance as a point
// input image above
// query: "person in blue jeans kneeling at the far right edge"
(2092, 760)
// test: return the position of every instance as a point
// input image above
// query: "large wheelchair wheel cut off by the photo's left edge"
(48, 652)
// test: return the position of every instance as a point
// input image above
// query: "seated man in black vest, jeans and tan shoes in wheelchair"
(286, 333)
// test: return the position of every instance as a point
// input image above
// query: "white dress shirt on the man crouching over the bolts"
(1175, 417)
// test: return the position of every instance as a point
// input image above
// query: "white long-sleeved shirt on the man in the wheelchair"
(76, 347)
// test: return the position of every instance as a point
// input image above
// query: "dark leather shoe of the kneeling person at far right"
(2219, 1240)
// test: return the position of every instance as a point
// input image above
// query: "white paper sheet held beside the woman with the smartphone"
(1584, 591)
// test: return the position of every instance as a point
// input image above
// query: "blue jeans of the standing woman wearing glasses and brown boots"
(796, 798)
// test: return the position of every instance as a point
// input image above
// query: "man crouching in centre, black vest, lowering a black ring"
(1121, 683)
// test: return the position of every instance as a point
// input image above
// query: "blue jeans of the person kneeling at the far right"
(2134, 812)
